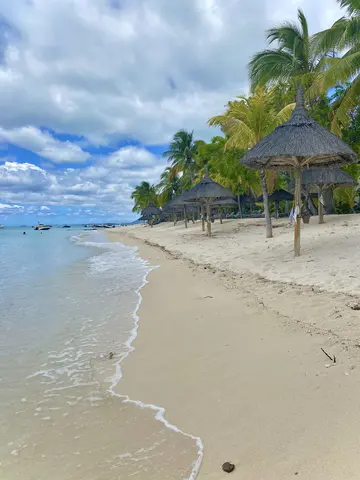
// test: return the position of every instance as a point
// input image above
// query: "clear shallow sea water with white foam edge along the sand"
(68, 303)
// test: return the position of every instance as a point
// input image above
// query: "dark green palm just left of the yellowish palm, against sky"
(182, 153)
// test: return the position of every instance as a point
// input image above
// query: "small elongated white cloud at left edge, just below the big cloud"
(44, 145)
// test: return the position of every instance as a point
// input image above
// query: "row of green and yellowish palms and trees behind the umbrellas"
(326, 64)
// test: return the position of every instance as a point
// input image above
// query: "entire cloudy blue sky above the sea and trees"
(91, 92)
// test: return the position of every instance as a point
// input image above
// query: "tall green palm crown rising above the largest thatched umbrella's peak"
(293, 60)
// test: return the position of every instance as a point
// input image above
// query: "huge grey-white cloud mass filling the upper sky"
(108, 69)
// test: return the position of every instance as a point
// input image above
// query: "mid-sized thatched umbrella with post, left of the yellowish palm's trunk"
(206, 192)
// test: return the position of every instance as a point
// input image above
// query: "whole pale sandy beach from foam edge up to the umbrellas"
(230, 338)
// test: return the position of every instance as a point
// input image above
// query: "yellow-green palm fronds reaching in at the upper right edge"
(342, 36)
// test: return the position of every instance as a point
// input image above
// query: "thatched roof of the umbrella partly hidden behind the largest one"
(327, 177)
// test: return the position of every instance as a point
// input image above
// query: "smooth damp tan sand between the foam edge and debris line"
(243, 380)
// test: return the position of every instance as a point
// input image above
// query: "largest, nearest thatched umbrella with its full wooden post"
(297, 144)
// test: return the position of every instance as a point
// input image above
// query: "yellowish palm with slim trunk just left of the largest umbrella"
(248, 120)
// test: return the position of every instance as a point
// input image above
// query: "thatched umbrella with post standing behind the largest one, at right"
(323, 178)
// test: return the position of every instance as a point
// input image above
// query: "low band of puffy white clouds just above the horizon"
(107, 184)
